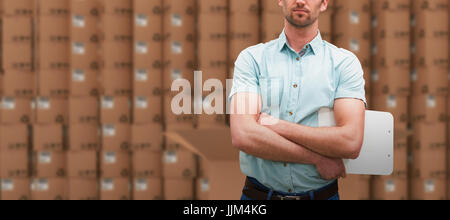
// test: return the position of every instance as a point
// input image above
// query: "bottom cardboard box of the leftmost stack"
(15, 189)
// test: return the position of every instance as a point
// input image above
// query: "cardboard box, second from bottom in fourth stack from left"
(115, 164)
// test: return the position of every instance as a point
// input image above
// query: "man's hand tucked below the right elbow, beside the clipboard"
(330, 169)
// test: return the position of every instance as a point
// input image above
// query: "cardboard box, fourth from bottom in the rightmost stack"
(428, 108)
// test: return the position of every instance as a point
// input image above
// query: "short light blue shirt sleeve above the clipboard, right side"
(351, 81)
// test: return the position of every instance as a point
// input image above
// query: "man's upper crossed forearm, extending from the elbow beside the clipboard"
(328, 141)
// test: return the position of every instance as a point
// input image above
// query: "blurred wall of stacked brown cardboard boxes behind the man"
(85, 93)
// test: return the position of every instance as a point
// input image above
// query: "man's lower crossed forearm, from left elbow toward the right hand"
(264, 143)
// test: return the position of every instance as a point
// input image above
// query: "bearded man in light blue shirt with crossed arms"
(292, 158)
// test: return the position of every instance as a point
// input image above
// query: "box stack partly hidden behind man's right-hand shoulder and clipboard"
(351, 30)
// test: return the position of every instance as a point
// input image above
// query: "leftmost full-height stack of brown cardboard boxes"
(17, 91)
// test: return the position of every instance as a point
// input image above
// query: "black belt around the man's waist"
(252, 191)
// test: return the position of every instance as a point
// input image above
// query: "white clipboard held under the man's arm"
(377, 153)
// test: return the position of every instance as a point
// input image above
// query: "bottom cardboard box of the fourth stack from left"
(115, 189)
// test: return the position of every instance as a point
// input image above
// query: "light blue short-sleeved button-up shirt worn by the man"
(298, 85)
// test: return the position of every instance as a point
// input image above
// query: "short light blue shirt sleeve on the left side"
(245, 75)
